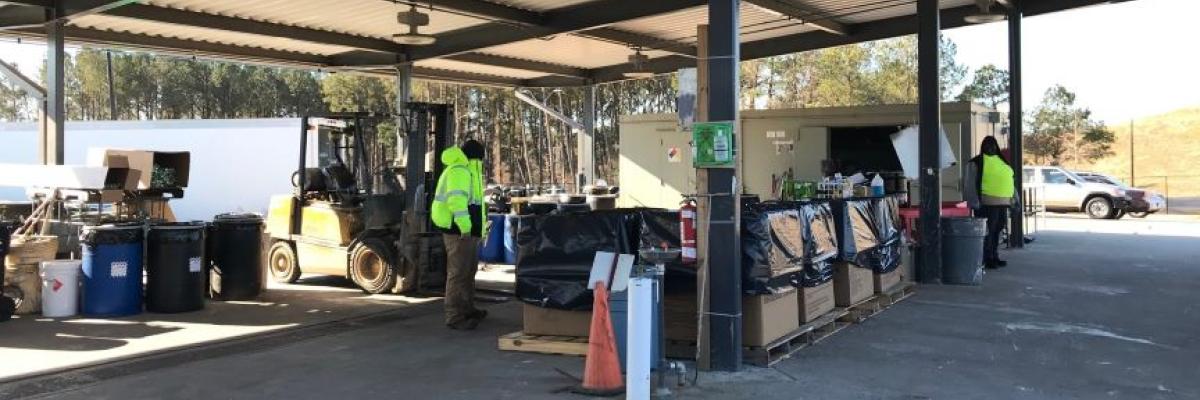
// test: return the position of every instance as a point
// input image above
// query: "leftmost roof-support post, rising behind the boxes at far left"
(51, 138)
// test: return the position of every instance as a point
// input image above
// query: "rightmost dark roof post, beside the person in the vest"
(1016, 124)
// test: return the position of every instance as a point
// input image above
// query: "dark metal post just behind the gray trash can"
(931, 117)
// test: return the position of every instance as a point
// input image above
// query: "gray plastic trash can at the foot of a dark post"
(963, 250)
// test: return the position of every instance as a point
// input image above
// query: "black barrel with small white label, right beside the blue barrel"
(176, 268)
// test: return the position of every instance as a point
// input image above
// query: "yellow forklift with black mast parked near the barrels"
(350, 214)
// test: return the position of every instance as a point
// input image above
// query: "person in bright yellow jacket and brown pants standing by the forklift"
(460, 213)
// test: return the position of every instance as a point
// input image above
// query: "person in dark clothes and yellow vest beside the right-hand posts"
(989, 189)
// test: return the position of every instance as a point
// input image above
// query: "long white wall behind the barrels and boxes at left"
(237, 165)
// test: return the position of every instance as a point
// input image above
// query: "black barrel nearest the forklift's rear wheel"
(236, 258)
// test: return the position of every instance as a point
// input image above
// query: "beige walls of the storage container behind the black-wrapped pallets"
(649, 181)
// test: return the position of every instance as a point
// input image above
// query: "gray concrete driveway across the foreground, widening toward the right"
(1091, 311)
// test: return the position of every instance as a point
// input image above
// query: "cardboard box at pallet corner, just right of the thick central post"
(767, 318)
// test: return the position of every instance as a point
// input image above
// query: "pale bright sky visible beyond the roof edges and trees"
(1124, 61)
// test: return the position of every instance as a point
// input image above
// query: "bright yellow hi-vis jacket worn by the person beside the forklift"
(459, 202)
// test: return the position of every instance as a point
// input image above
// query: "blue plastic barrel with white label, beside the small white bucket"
(112, 270)
